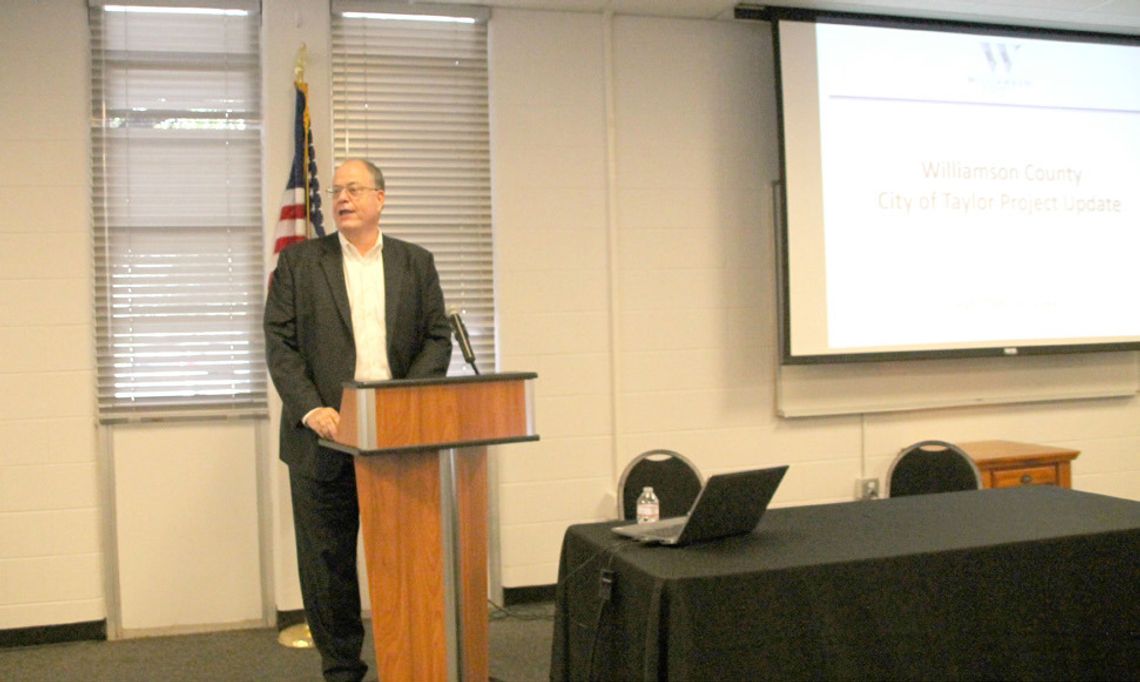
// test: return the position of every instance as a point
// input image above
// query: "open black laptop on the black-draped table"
(729, 505)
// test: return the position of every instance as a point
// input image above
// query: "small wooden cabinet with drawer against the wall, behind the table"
(1008, 465)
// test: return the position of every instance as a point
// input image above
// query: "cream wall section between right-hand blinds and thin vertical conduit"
(551, 210)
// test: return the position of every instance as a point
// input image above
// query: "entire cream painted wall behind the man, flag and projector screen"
(636, 274)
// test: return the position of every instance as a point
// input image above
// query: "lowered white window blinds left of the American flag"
(176, 158)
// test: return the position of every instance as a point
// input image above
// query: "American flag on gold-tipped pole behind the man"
(302, 201)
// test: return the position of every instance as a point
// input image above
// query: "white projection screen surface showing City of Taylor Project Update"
(973, 190)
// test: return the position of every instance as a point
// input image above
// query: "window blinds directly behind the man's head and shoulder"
(411, 95)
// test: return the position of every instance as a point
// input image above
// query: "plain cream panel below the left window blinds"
(186, 526)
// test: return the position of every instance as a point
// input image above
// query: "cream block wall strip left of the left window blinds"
(51, 557)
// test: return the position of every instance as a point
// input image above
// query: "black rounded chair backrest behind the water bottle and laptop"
(675, 481)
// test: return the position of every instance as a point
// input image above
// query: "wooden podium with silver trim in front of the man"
(421, 470)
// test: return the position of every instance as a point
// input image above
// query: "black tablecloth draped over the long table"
(1027, 583)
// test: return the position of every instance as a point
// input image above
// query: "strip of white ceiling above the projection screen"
(1117, 17)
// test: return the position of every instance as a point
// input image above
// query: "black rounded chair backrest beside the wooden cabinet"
(932, 467)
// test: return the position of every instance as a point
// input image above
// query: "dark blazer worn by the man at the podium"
(310, 346)
